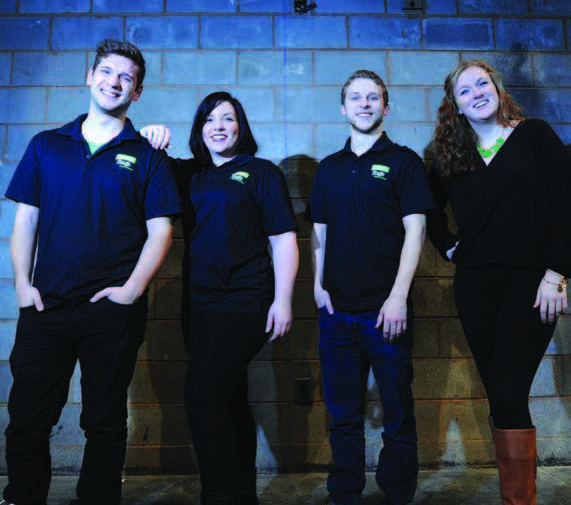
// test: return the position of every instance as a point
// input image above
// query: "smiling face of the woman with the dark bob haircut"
(220, 133)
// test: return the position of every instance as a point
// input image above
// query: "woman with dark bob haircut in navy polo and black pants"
(235, 291)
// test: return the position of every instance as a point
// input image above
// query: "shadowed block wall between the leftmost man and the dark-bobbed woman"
(159, 438)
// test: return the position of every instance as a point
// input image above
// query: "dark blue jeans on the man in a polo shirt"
(348, 343)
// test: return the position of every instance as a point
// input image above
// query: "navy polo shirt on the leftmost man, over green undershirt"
(93, 208)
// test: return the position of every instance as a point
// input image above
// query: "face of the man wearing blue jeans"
(364, 106)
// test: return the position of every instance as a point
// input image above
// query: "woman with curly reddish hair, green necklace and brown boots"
(508, 181)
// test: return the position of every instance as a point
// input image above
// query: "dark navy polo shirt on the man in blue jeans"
(363, 200)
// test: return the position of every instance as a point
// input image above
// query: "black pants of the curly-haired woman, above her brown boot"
(505, 334)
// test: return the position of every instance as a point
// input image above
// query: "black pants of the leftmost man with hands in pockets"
(105, 338)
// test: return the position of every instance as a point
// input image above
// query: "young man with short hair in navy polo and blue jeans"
(367, 205)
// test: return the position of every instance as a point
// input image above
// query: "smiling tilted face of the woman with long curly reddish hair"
(476, 95)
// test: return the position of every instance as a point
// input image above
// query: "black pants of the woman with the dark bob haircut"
(220, 347)
